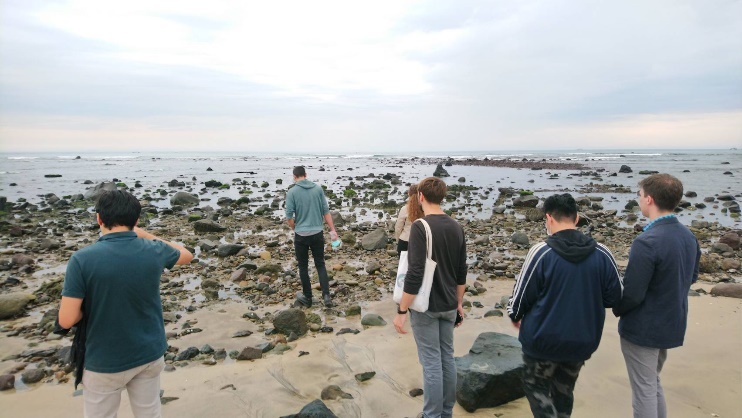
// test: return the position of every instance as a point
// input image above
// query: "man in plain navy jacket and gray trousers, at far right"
(663, 262)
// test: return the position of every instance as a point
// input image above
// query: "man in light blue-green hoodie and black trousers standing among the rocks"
(306, 208)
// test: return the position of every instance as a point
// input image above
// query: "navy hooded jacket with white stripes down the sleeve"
(561, 294)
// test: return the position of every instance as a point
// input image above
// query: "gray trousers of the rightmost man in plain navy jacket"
(644, 365)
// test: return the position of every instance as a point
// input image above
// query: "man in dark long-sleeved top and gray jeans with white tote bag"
(433, 329)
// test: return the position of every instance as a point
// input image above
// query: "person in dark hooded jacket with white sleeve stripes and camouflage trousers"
(559, 303)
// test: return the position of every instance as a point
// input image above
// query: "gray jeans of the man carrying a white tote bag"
(433, 333)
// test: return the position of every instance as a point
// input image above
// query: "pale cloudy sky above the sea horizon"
(381, 76)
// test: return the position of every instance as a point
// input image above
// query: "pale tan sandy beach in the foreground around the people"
(701, 379)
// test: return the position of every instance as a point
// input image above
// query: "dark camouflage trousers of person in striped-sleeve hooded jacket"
(549, 386)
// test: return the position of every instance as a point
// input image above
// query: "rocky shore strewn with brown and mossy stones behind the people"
(244, 257)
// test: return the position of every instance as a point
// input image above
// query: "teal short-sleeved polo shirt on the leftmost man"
(119, 279)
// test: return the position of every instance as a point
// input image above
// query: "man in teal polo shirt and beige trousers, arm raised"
(117, 282)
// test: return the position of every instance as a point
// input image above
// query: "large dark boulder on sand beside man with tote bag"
(490, 375)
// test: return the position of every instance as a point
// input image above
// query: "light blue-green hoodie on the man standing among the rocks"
(307, 205)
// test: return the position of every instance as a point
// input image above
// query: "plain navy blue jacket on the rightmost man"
(663, 262)
